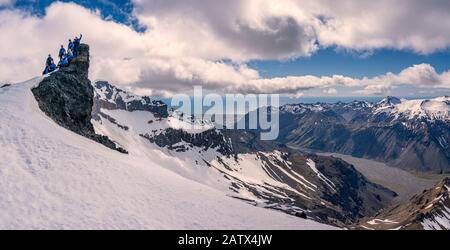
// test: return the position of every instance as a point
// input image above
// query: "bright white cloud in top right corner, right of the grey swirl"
(406, 24)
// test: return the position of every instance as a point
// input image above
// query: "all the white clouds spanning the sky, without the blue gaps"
(208, 43)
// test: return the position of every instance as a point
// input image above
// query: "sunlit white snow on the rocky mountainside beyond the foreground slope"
(232, 176)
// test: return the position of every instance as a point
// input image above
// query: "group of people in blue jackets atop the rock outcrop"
(65, 56)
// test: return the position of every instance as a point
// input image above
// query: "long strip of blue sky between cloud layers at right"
(334, 61)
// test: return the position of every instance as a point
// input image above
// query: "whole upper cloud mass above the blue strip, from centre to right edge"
(268, 29)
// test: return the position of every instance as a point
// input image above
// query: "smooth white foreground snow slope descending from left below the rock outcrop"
(52, 178)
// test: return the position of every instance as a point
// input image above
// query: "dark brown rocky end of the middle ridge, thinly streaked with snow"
(346, 198)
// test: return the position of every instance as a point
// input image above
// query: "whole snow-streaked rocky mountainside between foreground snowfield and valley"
(235, 162)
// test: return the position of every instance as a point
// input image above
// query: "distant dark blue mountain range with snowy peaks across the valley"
(409, 134)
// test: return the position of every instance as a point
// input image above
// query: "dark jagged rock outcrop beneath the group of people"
(67, 95)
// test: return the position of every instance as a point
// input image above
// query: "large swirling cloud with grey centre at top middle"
(235, 29)
